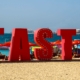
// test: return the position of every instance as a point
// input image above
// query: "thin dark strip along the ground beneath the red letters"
(37, 61)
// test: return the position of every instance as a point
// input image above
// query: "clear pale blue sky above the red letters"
(34, 14)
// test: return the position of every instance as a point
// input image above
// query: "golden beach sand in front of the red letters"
(40, 71)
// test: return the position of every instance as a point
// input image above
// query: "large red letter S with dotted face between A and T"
(46, 51)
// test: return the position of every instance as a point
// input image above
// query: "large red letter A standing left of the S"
(19, 45)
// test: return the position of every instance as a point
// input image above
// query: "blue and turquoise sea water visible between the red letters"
(7, 37)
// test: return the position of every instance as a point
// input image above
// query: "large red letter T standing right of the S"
(66, 42)
